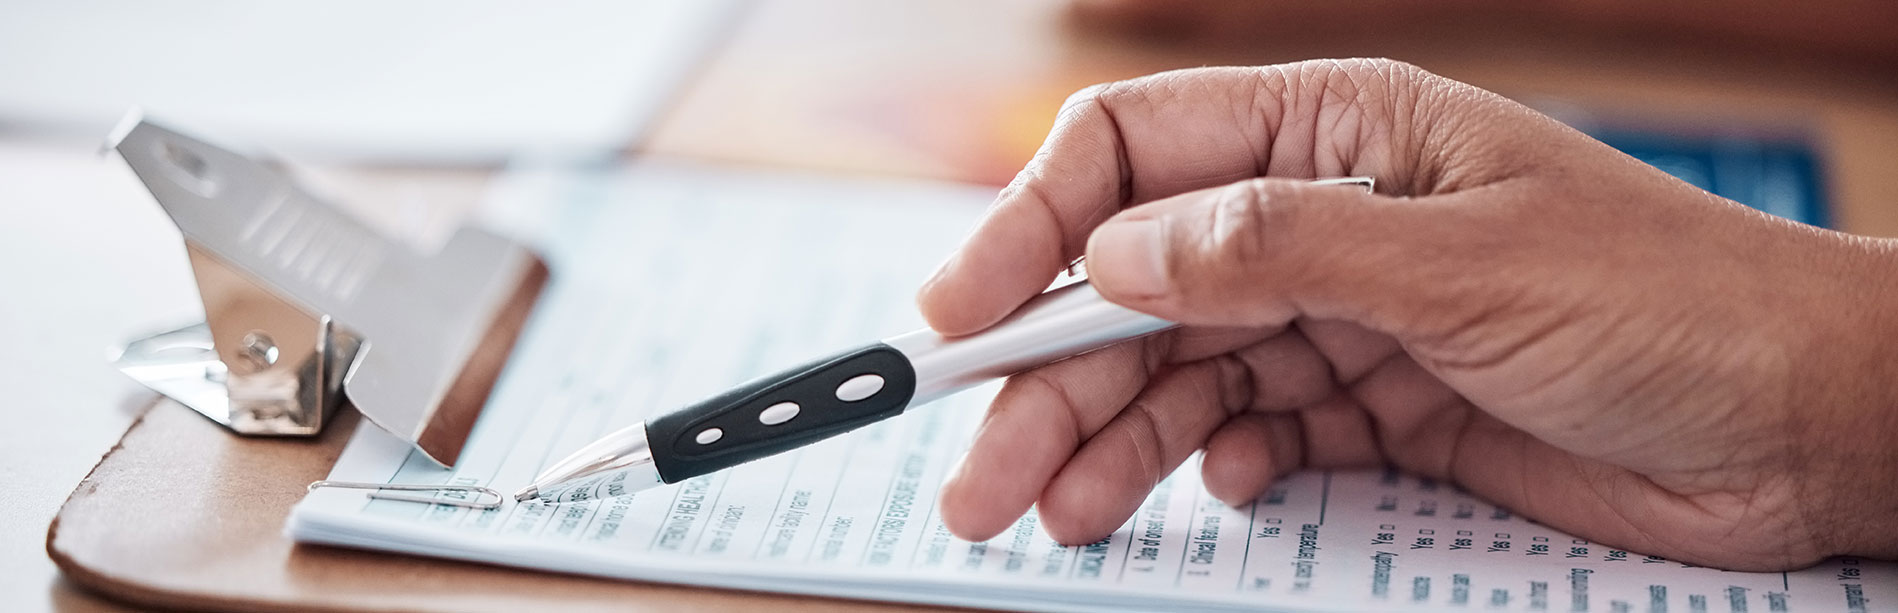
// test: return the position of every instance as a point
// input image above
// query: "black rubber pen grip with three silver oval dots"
(783, 413)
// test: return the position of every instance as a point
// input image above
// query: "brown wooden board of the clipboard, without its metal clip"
(185, 515)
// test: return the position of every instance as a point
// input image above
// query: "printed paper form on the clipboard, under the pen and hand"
(675, 284)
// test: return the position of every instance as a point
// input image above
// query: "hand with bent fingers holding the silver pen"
(1521, 310)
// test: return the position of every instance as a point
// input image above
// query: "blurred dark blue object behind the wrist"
(1779, 177)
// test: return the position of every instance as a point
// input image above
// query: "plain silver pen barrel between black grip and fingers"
(1056, 325)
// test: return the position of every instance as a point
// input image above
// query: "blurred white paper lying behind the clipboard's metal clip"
(434, 83)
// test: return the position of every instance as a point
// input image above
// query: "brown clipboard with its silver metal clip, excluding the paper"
(187, 513)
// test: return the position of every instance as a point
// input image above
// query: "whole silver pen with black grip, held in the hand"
(846, 392)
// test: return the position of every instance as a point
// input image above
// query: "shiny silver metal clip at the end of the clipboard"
(305, 306)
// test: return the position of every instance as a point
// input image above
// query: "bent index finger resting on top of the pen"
(1136, 141)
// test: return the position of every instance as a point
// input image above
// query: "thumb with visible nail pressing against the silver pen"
(1263, 251)
